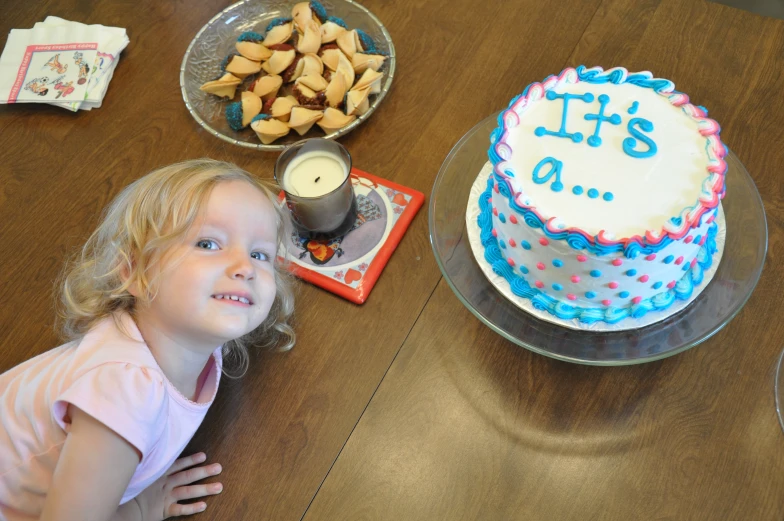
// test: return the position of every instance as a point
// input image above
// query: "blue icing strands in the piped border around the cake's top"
(578, 240)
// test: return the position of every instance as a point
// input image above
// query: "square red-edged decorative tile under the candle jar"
(349, 266)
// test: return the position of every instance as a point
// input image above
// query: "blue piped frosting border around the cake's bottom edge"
(682, 291)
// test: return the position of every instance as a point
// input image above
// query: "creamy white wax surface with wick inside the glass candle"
(314, 174)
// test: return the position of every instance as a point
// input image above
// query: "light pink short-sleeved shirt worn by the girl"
(114, 379)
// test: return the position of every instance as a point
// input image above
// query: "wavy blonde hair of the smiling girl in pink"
(144, 220)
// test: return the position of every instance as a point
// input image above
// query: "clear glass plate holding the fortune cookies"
(216, 40)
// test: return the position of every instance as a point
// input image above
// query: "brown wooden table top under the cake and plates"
(408, 407)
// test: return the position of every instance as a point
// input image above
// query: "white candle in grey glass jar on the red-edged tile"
(314, 174)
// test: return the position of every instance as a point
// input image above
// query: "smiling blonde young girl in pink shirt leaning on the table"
(180, 272)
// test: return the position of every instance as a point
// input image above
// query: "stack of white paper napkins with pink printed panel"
(61, 63)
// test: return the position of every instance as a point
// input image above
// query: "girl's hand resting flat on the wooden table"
(160, 500)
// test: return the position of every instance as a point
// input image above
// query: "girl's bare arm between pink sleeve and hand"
(93, 472)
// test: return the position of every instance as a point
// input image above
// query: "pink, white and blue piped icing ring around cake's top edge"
(651, 241)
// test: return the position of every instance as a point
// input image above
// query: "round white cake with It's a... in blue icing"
(604, 191)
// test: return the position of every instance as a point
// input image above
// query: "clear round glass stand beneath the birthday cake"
(735, 279)
